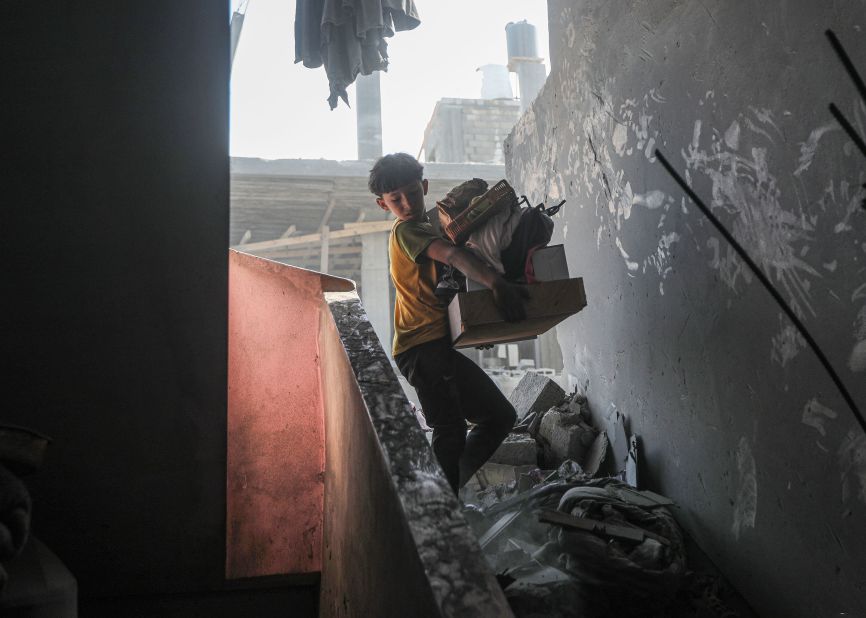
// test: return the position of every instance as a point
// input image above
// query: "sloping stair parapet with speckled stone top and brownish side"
(395, 543)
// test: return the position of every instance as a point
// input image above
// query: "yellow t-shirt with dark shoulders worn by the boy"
(419, 316)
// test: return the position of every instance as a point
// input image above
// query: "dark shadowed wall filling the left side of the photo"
(115, 229)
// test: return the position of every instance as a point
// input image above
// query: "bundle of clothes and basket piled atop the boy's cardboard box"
(492, 223)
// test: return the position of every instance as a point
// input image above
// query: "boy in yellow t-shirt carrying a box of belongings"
(451, 388)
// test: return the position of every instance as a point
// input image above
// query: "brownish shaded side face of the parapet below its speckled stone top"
(367, 570)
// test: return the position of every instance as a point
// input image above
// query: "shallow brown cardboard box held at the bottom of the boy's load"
(475, 320)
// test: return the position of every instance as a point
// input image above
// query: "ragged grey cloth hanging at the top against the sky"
(348, 37)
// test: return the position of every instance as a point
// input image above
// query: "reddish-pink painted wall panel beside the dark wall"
(276, 433)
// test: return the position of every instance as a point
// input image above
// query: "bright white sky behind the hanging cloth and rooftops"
(279, 109)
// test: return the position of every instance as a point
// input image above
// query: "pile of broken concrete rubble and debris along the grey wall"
(562, 523)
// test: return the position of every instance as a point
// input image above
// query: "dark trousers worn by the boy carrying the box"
(452, 390)
